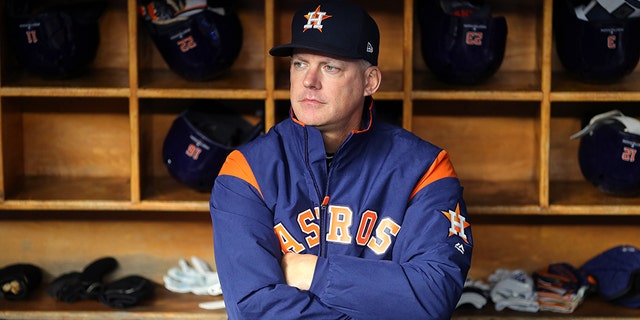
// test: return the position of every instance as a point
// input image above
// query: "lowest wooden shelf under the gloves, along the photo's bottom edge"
(169, 305)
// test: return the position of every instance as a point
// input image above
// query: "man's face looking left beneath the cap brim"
(327, 92)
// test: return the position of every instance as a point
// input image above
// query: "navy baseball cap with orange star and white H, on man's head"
(337, 28)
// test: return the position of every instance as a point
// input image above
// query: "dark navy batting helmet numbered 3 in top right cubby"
(596, 41)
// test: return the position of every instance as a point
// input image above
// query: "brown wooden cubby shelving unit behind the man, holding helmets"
(82, 175)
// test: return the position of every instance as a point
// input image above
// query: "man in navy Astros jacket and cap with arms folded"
(333, 214)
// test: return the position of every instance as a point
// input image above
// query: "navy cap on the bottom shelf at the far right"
(617, 272)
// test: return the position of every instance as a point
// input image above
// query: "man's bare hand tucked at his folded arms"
(298, 269)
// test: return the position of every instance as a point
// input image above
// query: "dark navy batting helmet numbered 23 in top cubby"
(461, 42)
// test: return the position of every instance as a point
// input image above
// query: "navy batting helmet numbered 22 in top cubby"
(198, 40)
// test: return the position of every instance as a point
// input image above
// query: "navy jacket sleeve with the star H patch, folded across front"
(425, 276)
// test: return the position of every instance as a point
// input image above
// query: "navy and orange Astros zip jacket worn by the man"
(386, 219)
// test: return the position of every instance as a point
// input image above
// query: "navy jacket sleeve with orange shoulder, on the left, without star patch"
(248, 254)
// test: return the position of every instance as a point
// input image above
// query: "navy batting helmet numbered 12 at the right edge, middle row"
(608, 153)
